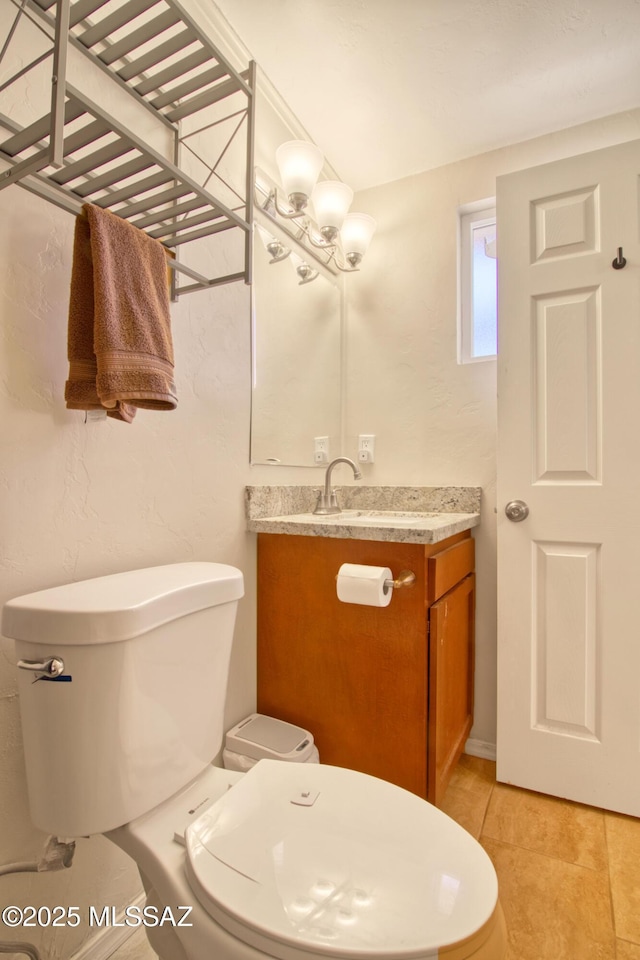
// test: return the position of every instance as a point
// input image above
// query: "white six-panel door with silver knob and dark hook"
(569, 447)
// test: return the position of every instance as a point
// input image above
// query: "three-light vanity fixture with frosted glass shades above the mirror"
(343, 237)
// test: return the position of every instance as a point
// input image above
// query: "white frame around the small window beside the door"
(480, 213)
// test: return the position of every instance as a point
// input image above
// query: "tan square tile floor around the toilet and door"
(569, 874)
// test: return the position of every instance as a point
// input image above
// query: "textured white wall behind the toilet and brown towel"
(81, 500)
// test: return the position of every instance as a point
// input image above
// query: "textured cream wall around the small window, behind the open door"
(435, 420)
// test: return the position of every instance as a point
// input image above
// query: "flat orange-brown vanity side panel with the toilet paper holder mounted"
(355, 676)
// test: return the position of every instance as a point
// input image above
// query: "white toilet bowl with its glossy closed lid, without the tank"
(301, 864)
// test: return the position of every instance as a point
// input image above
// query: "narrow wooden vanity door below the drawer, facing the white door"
(451, 663)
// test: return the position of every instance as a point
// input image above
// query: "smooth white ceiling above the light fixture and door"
(388, 88)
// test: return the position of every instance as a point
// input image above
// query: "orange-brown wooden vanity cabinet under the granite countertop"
(384, 690)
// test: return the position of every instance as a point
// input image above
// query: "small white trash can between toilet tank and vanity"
(258, 737)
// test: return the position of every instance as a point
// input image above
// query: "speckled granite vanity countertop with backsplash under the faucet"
(398, 514)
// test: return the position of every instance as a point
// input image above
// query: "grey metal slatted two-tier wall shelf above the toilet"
(78, 153)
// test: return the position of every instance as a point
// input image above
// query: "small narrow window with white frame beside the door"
(478, 299)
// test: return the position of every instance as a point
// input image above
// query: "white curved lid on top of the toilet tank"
(119, 606)
